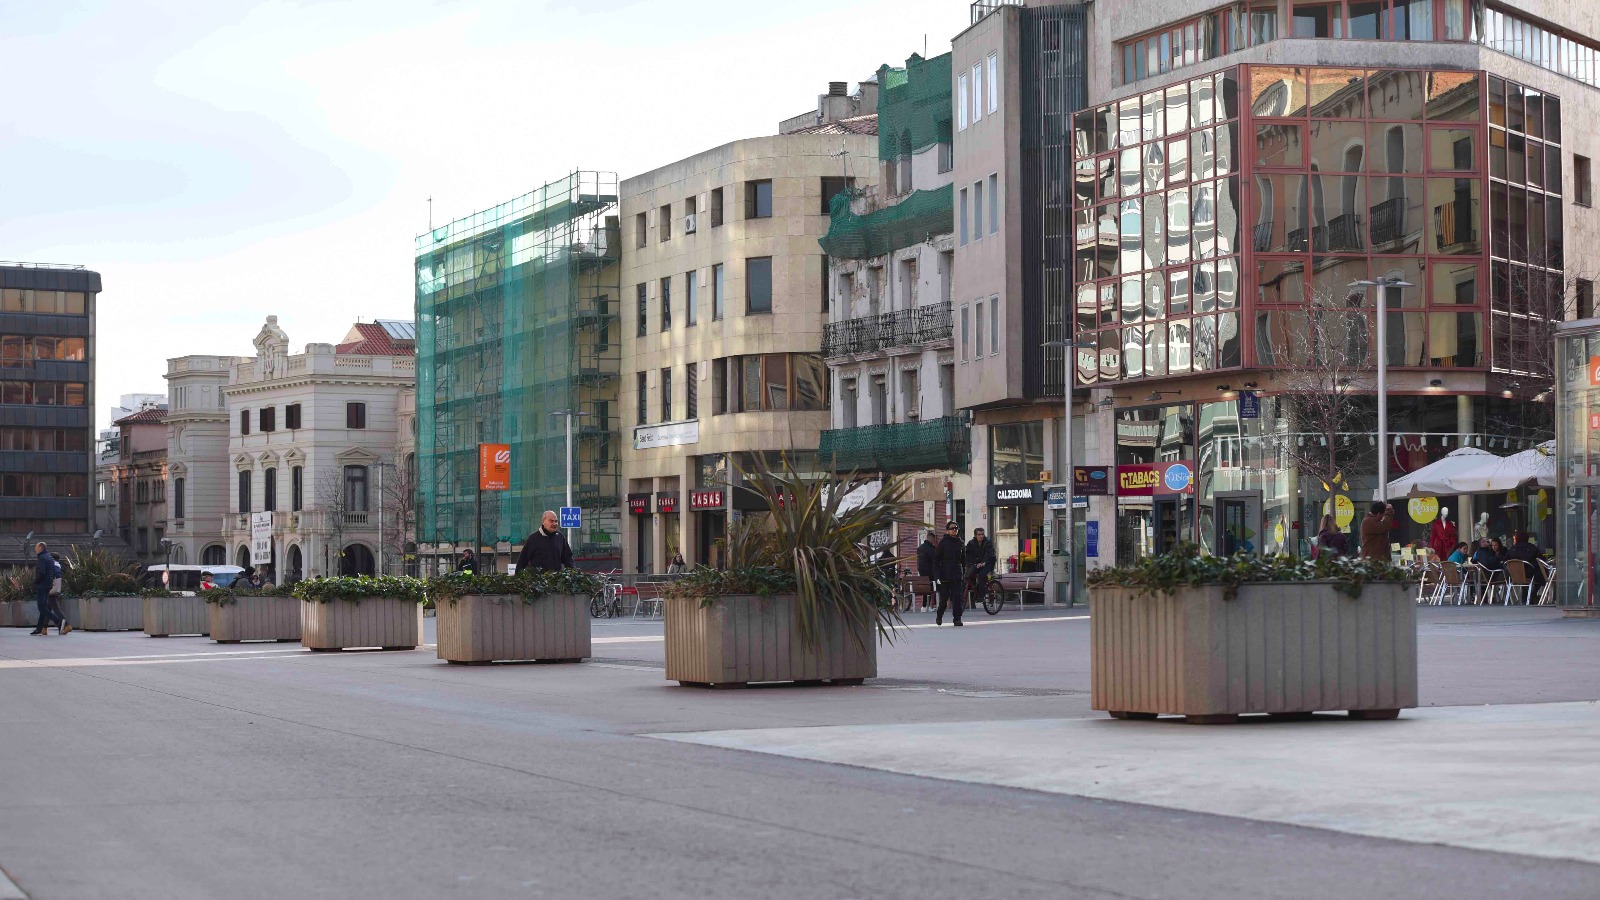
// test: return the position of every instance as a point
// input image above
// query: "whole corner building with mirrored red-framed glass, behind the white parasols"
(1239, 171)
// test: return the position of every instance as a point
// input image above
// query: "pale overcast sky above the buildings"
(225, 161)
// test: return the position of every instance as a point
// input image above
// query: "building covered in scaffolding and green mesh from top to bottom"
(518, 311)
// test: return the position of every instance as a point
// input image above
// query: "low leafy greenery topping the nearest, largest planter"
(1188, 568)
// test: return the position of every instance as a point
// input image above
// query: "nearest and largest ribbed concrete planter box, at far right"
(1279, 649)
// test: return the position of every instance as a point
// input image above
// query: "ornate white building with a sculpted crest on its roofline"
(313, 443)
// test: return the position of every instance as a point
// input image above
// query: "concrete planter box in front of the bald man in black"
(481, 629)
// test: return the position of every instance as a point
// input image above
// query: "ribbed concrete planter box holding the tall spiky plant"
(742, 640)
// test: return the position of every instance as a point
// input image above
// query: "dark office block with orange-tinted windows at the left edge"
(47, 396)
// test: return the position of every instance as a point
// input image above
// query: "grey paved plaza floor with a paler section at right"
(972, 768)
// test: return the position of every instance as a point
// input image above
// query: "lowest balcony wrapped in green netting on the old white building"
(905, 448)
